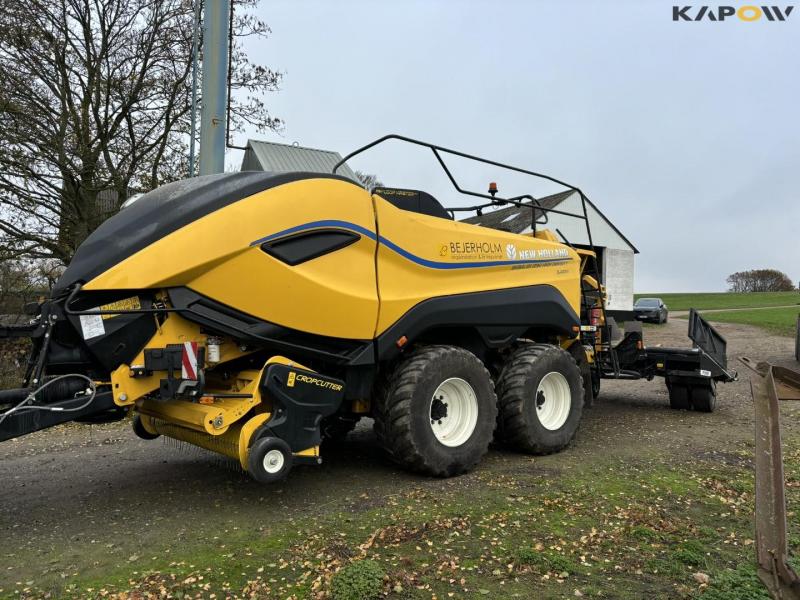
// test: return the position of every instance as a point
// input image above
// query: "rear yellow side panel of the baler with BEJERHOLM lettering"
(422, 257)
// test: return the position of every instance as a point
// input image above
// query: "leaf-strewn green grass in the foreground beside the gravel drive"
(627, 531)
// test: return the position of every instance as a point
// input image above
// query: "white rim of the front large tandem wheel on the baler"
(453, 412)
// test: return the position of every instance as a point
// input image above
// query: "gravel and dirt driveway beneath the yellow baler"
(77, 500)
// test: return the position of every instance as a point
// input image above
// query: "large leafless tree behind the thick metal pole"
(95, 105)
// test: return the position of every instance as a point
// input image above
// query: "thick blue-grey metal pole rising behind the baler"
(215, 75)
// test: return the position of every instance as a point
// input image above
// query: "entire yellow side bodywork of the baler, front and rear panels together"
(400, 259)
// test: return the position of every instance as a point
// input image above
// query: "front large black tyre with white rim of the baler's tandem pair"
(436, 411)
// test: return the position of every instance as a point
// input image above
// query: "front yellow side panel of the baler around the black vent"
(333, 295)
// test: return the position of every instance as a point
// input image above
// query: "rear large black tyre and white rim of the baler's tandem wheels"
(540, 395)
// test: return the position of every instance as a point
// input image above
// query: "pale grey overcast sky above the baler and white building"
(686, 135)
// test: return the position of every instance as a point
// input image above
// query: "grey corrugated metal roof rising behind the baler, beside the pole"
(286, 158)
